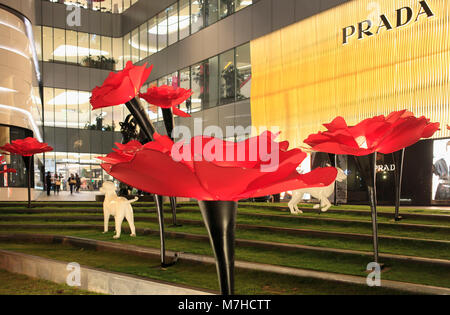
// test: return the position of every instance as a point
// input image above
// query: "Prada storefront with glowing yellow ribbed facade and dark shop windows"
(358, 60)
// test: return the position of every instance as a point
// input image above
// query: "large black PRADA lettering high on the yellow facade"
(404, 16)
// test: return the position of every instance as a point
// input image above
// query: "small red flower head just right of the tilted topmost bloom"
(167, 97)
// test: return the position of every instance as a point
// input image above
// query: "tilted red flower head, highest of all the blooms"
(120, 87)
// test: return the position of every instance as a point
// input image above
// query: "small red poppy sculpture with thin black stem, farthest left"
(27, 148)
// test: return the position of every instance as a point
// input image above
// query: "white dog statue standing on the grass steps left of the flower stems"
(118, 207)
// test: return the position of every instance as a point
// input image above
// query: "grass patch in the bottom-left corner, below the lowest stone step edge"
(15, 284)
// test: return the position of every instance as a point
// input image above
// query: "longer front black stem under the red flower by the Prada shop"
(367, 168)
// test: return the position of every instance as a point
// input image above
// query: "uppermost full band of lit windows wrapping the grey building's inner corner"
(176, 22)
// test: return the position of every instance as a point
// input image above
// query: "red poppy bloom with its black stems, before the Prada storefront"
(391, 134)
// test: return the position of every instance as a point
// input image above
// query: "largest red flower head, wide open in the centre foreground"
(187, 170)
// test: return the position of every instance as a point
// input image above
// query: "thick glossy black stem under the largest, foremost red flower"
(220, 221)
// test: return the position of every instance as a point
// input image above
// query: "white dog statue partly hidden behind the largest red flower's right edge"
(320, 193)
